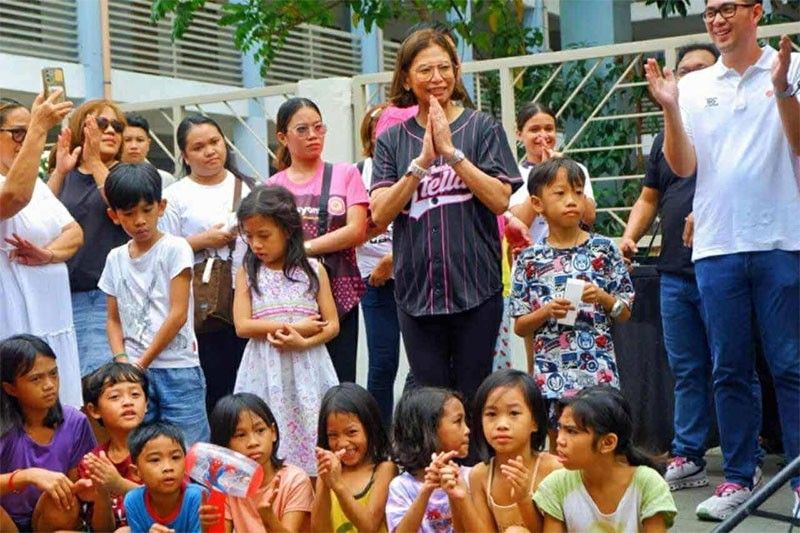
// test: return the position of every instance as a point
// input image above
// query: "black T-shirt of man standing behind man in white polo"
(675, 203)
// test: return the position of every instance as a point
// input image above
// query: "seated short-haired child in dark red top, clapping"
(115, 396)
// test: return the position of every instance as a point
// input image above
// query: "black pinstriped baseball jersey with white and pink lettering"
(446, 245)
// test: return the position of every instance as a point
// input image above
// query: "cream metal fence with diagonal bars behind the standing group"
(599, 95)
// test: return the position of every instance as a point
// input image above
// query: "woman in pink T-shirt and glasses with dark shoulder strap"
(301, 133)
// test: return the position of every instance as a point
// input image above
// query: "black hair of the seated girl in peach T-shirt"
(225, 417)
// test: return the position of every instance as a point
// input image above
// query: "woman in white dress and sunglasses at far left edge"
(37, 235)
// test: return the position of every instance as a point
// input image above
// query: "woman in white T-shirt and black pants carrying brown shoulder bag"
(200, 208)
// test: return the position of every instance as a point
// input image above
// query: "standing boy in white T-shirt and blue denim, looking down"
(148, 283)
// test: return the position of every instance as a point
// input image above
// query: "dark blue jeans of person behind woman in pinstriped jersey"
(383, 343)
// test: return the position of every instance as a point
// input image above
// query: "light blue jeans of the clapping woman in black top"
(89, 316)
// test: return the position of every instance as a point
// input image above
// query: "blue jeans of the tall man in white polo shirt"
(730, 286)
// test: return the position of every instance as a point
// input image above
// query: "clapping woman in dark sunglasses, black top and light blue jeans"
(85, 151)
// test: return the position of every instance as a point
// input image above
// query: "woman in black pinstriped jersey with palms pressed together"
(443, 176)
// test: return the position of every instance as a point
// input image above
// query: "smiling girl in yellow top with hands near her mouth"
(352, 463)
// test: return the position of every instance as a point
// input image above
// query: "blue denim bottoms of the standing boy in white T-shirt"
(178, 396)
